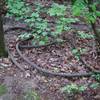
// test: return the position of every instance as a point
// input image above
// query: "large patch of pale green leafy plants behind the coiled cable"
(39, 25)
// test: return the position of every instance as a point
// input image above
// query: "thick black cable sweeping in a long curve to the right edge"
(39, 68)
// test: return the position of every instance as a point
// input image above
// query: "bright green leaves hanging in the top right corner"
(82, 7)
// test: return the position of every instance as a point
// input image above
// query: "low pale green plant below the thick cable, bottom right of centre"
(73, 89)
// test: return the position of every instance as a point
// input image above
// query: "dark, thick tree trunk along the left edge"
(3, 52)
